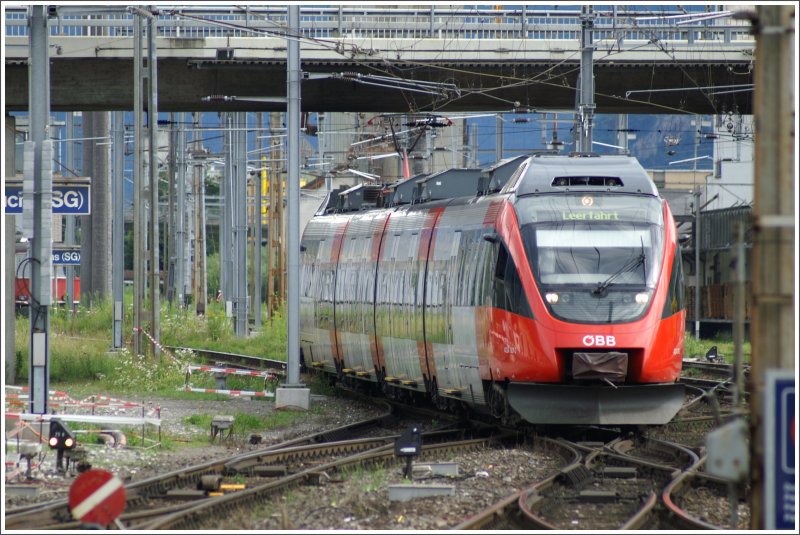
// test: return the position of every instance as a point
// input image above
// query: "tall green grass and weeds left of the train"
(79, 347)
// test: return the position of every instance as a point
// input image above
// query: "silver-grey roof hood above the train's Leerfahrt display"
(559, 174)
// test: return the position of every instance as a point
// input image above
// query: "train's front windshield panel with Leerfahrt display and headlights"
(596, 258)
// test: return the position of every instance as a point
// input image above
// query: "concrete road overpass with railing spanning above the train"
(393, 59)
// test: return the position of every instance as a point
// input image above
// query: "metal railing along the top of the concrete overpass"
(390, 23)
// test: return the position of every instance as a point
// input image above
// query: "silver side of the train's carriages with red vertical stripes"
(387, 318)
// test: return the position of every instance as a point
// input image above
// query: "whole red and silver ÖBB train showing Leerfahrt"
(556, 299)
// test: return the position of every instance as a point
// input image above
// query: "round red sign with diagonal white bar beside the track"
(96, 497)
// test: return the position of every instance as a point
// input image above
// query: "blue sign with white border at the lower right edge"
(780, 449)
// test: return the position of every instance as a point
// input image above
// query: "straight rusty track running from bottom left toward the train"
(177, 498)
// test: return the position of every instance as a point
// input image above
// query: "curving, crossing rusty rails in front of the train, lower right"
(620, 484)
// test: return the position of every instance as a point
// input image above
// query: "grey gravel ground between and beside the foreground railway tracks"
(357, 500)
